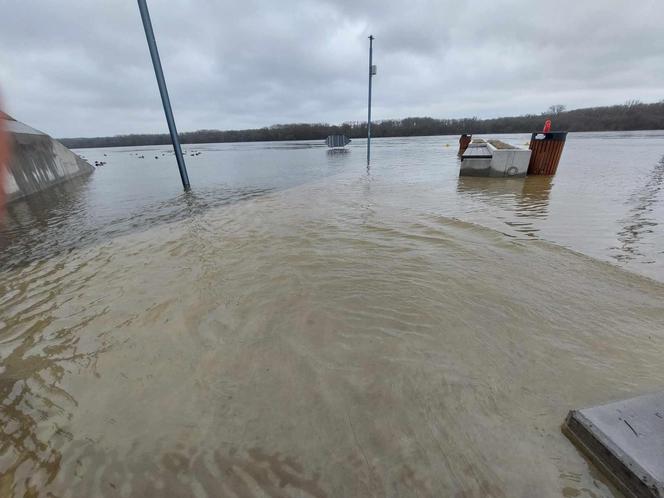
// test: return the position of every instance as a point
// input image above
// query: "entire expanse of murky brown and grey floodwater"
(300, 326)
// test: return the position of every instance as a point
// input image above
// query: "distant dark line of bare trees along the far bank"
(633, 115)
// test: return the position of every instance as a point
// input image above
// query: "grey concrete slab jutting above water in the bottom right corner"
(625, 439)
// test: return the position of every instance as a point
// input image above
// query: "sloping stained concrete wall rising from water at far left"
(38, 161)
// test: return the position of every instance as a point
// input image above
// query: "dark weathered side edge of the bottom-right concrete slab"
(632, 479)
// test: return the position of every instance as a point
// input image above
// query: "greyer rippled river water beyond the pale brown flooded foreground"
(606, 201)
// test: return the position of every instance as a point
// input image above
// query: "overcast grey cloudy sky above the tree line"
(82, 67)
